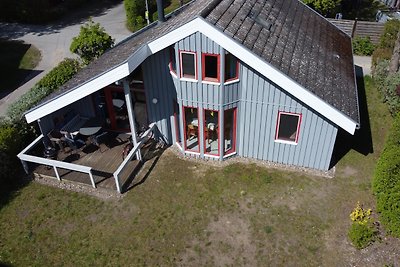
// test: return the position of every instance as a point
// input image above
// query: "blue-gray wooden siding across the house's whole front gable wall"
(258, 102)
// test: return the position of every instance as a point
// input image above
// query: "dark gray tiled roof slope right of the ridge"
(295, 40)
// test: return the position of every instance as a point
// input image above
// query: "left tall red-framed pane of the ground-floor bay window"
(191, 120)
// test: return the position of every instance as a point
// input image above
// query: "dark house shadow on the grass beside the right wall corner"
(361, 141)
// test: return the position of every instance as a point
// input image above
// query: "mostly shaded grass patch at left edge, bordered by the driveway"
(17, 59)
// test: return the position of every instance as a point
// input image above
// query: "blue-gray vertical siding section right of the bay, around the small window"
(260, 102)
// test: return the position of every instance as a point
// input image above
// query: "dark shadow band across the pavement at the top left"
(71, 17)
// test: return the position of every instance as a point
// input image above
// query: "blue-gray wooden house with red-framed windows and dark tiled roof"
(263, 79)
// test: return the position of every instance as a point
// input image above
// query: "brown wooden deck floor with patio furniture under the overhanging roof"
(104, 161)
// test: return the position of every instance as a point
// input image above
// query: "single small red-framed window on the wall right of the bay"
(288, 127)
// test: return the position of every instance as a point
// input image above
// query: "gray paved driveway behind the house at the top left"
(54, 40)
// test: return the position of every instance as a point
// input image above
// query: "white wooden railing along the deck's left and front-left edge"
(24, 157)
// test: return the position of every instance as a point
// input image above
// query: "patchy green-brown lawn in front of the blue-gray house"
(192, 214)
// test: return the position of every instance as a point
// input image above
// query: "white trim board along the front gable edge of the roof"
(199, 25)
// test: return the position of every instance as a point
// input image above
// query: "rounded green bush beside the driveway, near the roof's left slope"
(91, 42)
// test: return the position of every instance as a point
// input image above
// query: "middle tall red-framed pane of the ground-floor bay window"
(211, 129)
